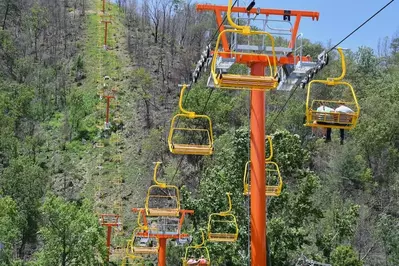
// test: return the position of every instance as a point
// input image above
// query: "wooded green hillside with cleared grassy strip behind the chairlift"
(62, 166)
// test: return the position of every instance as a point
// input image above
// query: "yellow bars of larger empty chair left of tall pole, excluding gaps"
(193, 149)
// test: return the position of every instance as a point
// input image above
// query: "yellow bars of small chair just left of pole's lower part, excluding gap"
(228, 218)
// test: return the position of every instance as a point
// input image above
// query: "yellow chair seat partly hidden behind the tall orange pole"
(274, 181)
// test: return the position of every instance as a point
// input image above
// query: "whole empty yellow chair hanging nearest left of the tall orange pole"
(193, 124)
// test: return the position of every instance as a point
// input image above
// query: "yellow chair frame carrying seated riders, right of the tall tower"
(337, 120)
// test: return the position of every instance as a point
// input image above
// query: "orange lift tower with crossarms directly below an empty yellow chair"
(161, 234)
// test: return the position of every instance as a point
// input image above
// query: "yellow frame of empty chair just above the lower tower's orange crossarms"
(162, 211)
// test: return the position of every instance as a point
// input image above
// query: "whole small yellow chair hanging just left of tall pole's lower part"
(222, 226)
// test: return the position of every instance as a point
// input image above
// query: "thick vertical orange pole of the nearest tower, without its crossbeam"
(258, 180)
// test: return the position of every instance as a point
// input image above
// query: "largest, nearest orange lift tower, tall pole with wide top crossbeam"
(257, 121)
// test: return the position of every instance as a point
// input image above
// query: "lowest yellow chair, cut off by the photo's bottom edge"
(195, 253)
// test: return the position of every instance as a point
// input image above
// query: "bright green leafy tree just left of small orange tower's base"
(71, 234)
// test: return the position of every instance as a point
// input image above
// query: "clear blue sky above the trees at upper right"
(338, 18)
